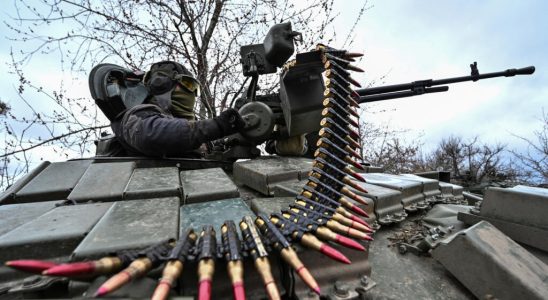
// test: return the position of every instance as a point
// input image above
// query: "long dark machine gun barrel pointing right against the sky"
(431, 86)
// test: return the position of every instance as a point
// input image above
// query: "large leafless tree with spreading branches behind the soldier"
(203, 35)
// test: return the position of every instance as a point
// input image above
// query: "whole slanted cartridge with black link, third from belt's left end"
(148, 259)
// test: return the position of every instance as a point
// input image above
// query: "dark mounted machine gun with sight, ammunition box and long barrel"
(296, 108)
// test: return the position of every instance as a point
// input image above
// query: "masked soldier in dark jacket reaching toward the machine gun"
(165, 125)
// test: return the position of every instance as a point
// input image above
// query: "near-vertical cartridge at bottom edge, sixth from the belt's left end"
(232, 252)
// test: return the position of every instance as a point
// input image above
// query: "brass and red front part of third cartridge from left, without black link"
(137, 268)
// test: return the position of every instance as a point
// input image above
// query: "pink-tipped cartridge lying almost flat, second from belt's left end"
(102, 266)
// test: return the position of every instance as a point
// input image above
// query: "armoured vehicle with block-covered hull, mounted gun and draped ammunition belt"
(240, 224)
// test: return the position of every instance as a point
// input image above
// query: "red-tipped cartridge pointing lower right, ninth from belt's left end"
(288, 221)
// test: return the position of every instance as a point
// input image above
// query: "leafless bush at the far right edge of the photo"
(536, 156)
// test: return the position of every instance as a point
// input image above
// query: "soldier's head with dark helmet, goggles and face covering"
(173, 87)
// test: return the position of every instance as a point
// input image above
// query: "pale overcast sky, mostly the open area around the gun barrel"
(410, 40)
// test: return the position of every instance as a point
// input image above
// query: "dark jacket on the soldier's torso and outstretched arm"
(148, 130)
